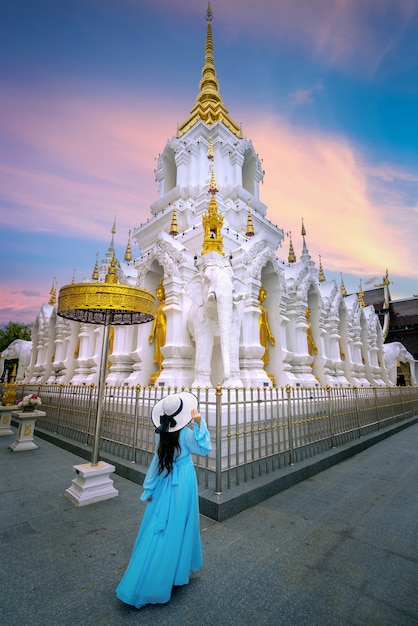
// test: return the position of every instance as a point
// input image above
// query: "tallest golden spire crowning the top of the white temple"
(209, 106)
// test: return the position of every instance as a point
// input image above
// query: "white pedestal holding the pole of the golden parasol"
(92, 484)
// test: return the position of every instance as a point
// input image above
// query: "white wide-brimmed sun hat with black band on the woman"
(174, 411)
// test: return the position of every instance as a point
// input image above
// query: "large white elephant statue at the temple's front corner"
(216, 312)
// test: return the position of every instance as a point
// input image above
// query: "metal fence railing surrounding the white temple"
(254, 431)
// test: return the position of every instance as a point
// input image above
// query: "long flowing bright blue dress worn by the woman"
(167, 547)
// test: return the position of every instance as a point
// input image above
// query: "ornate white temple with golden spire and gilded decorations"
(230, 311)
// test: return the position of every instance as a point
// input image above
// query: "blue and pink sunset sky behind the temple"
(91, 90)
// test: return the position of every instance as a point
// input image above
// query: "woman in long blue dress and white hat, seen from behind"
(168, 545)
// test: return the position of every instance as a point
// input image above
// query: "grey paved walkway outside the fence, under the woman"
(340, 548)
